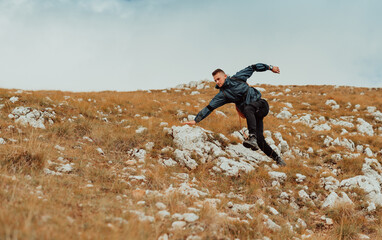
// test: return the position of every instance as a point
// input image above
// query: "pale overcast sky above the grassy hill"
(95, 45)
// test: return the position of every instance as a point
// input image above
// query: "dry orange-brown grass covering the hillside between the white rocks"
(39, 206)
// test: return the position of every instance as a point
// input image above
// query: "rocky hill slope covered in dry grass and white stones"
(121, 165)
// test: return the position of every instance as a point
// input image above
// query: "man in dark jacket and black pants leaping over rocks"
(248, 100)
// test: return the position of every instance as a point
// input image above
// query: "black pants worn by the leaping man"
(255, 113)
